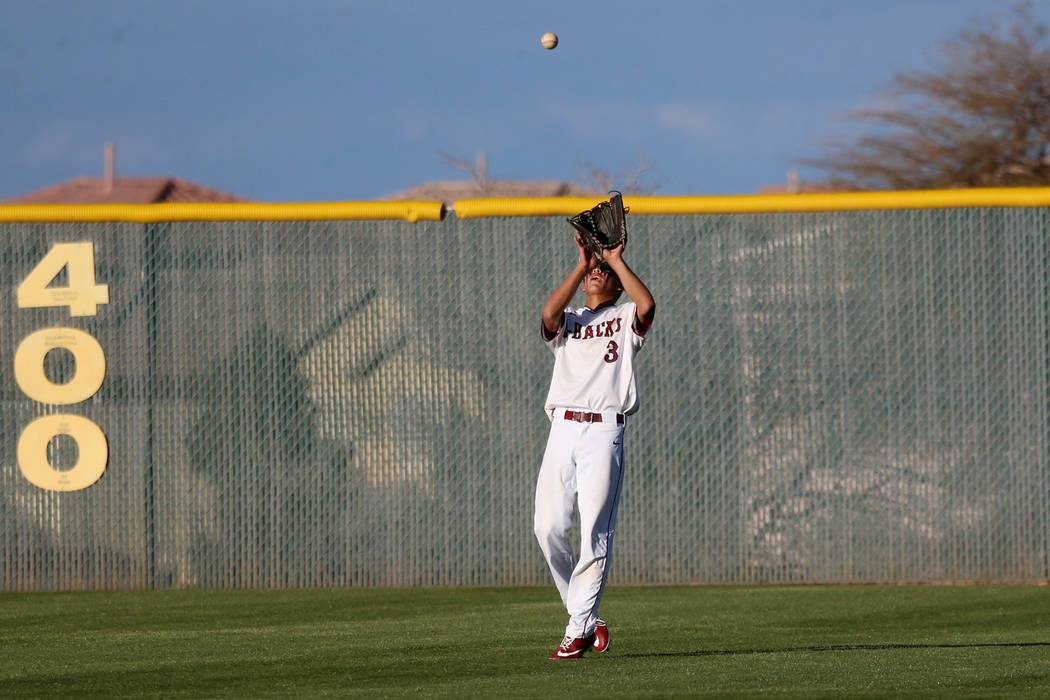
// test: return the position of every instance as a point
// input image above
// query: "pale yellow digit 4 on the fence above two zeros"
(81, 295)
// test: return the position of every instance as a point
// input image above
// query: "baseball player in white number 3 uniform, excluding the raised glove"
(593, 391)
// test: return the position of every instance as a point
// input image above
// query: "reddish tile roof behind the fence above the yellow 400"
(124, 190)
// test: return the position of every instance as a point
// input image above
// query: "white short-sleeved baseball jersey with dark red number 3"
(595, 360)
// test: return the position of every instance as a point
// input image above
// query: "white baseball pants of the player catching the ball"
(582, 466)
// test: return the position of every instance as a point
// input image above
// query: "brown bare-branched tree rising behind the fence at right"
(983, 120)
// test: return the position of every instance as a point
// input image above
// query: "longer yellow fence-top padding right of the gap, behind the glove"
(1037, 197)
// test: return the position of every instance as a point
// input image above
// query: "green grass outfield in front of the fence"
(710, 642)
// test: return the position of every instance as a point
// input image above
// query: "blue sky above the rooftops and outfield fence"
(329, 100)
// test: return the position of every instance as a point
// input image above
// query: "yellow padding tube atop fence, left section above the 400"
(188, 211)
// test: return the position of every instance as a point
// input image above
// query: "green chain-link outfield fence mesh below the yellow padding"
(846, 397)
